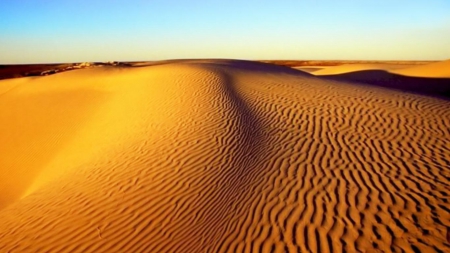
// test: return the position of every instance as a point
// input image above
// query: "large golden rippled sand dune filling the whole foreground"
(222, 156)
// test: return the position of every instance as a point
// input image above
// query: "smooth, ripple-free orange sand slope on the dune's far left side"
(38, 119)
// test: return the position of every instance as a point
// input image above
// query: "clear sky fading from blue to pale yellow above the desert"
(40, 31)
